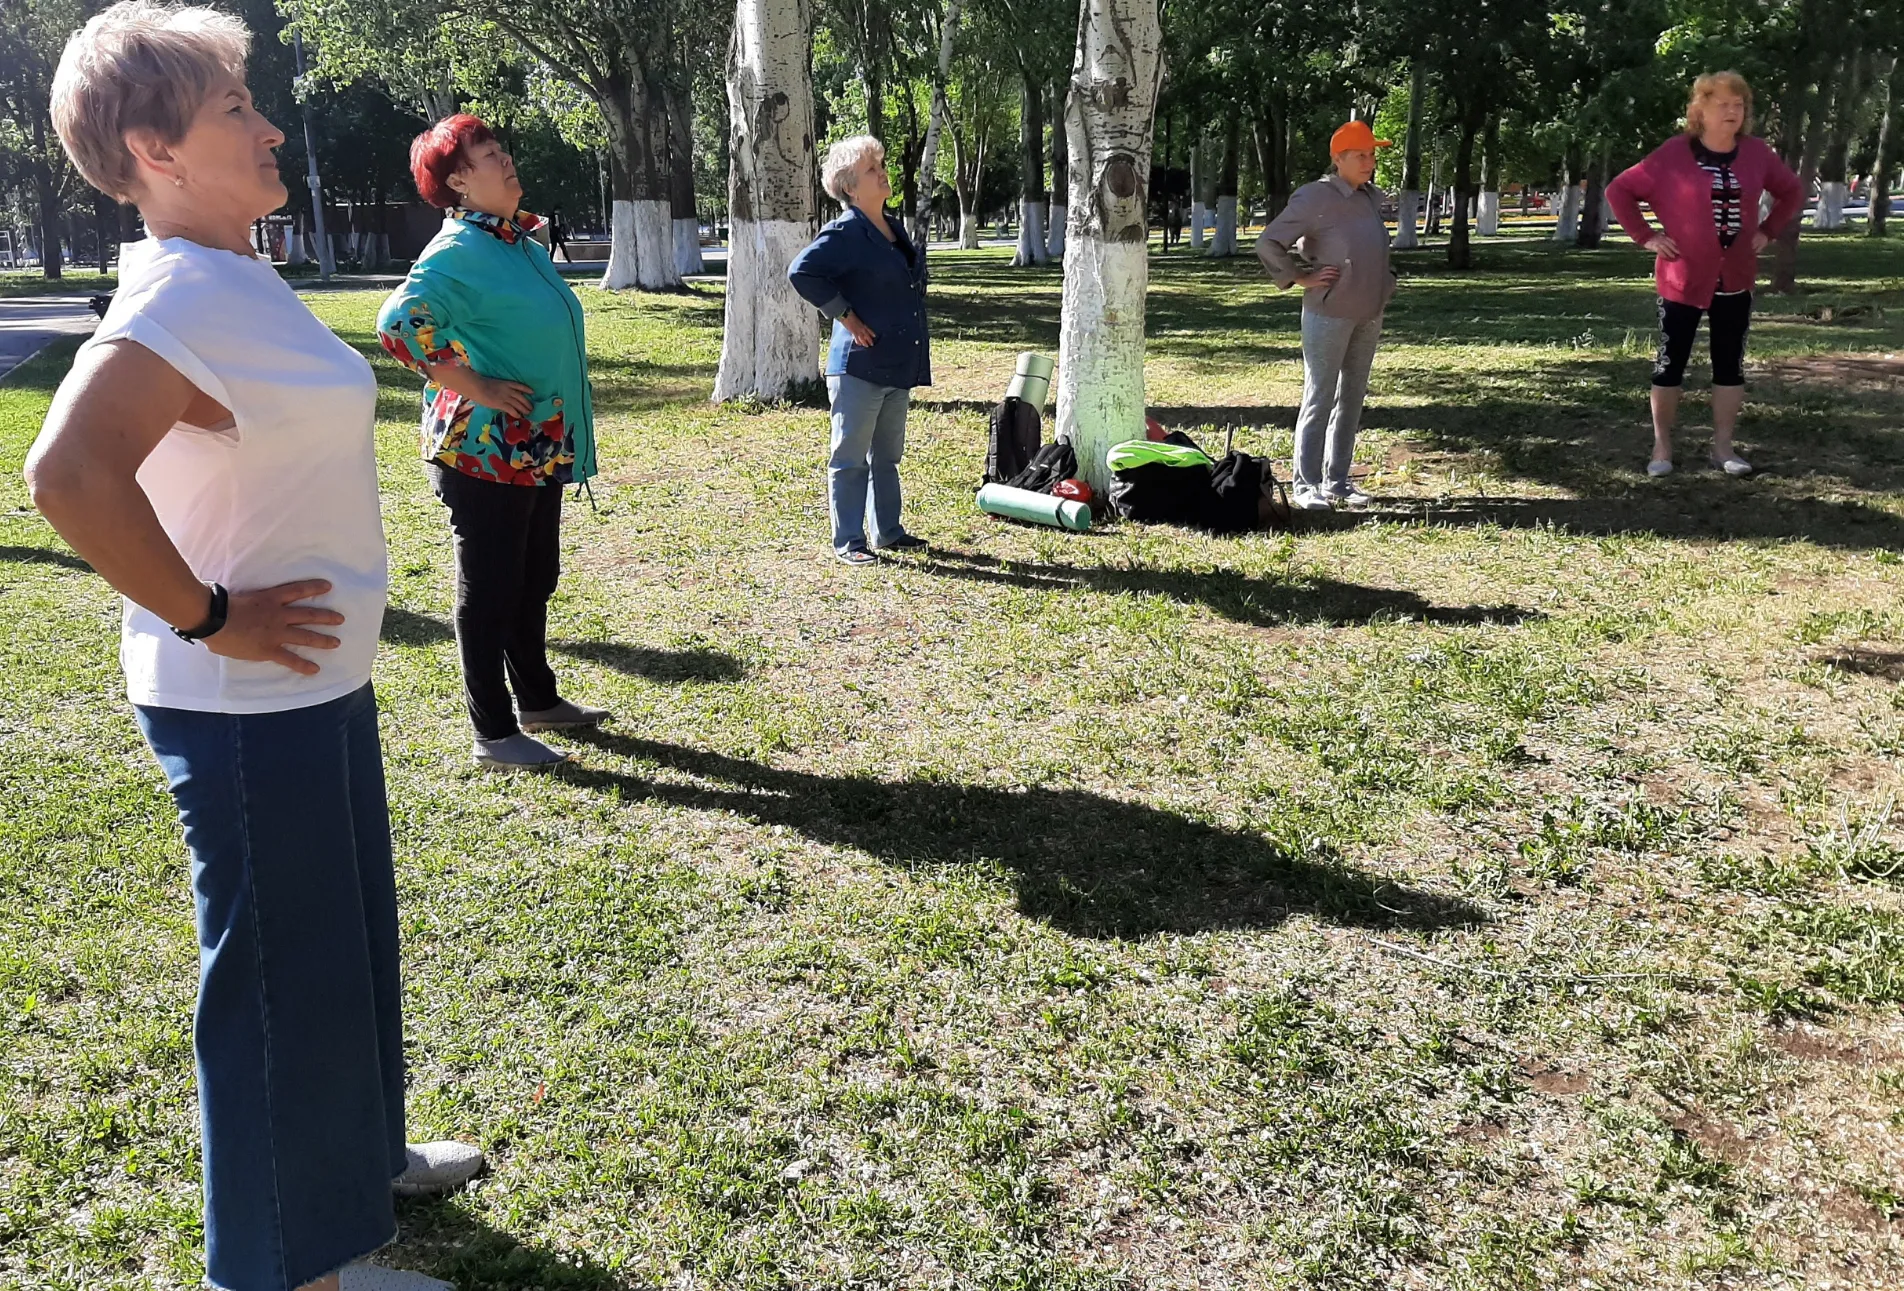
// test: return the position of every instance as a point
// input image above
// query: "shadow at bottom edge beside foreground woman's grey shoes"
(443, 1239)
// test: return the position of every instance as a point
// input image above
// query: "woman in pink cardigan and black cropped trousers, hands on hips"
(1705, 191)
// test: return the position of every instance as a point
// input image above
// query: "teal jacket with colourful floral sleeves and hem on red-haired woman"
(486, 296)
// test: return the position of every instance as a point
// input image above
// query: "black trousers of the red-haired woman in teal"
(509, 557)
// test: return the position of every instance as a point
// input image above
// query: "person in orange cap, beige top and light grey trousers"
(1345, 279)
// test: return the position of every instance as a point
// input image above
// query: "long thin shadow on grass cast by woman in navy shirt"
(1240, 597)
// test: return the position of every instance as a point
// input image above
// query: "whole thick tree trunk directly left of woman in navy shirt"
(770, 344)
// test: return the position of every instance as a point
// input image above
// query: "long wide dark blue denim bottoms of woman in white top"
(300, 1031)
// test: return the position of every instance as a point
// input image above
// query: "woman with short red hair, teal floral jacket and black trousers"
(507, 422)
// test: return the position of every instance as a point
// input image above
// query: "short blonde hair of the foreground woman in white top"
(140, 66)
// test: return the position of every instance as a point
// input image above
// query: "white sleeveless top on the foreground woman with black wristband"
(288, 492)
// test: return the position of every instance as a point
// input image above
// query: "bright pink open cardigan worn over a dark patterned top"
(1680, 195)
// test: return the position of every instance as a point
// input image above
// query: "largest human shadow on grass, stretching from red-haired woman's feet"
(1081, 862)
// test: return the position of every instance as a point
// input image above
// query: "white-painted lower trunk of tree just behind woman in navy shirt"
(770, 344)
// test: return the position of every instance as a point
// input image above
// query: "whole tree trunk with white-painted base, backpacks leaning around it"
(1117, 73)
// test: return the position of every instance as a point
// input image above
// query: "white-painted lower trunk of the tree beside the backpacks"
(1101, 351)
